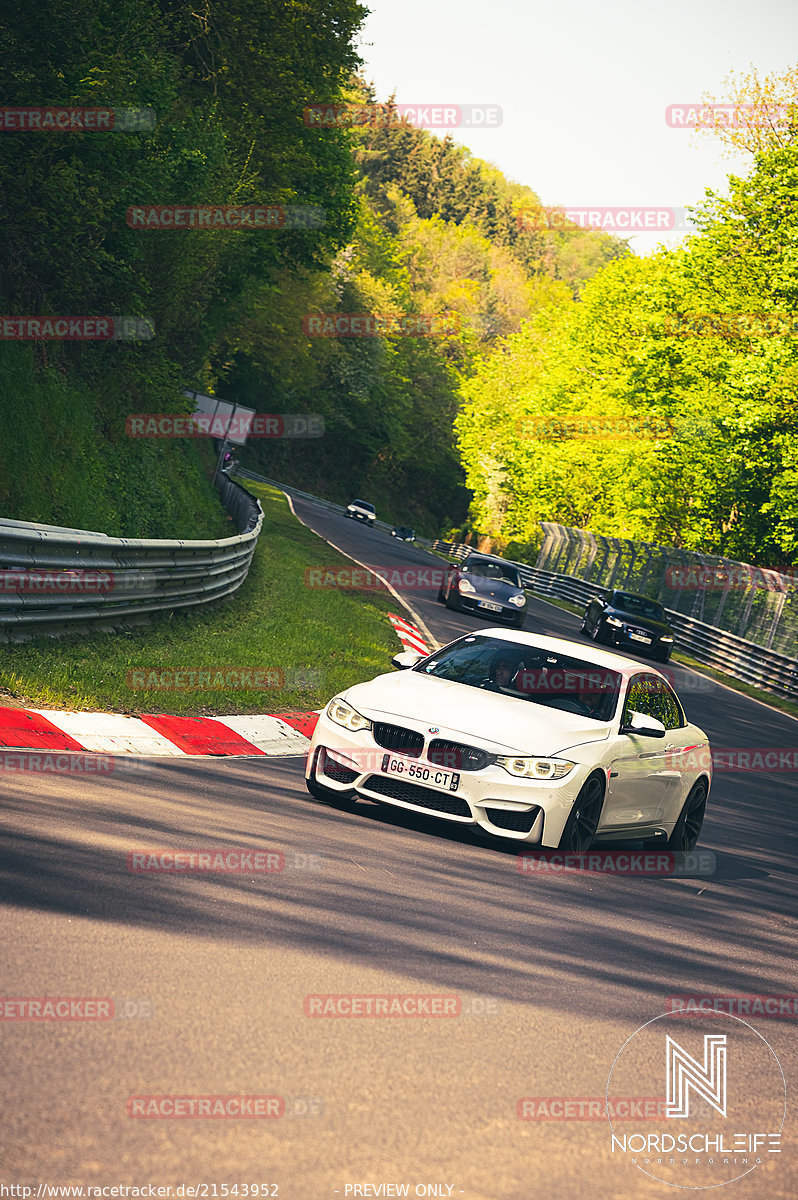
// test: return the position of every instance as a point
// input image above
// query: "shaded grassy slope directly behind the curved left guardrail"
(67, 460)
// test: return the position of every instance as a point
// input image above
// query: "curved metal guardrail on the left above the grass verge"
(57, 581)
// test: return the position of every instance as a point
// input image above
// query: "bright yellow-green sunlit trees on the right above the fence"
(707, 458)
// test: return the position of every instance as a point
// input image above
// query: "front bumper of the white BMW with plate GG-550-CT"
(525, 811)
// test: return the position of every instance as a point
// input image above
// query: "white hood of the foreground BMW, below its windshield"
(496, 723)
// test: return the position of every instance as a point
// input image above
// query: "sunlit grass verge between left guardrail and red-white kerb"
(321, 640)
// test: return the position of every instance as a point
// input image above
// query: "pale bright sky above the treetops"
(584, 88)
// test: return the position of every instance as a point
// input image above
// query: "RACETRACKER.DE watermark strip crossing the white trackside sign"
(205, 425)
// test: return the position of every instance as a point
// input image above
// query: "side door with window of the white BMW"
(645, 777)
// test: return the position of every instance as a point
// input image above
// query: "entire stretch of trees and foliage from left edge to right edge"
(542, 325)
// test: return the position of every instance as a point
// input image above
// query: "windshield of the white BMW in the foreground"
(530, 675)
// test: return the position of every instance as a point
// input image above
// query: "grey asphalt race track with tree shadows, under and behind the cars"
(553, 973)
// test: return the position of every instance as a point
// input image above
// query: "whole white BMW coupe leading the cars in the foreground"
(537, 740)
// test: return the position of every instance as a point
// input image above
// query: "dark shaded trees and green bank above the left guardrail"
(229, 86)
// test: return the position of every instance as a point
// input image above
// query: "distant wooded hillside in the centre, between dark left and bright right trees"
(437, 232)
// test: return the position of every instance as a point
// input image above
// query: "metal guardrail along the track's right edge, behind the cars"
(716, 647)
